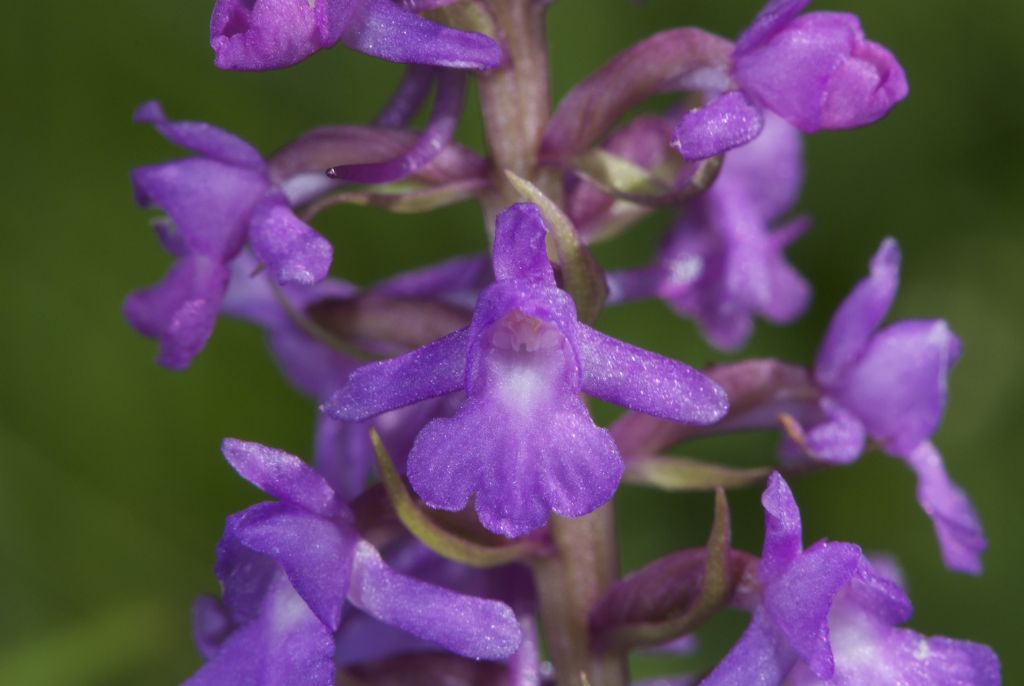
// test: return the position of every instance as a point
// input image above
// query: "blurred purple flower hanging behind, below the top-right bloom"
(722, 265)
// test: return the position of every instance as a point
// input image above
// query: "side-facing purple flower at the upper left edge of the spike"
(215, 202)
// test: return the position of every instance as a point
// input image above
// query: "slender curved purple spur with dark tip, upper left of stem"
(435, 139)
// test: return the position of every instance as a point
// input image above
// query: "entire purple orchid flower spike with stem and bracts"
(458, 513)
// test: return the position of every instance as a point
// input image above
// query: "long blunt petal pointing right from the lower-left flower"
(472, 627)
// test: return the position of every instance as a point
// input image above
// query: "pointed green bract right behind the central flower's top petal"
(582, 277)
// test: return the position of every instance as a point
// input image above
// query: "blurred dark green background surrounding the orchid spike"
(112, 491)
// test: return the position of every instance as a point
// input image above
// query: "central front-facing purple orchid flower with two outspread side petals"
(524, 442)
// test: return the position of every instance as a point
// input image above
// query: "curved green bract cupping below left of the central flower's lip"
(436, 537)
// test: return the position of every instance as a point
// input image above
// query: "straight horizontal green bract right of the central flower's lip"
(684, 475)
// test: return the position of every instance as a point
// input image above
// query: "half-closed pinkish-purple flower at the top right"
(817, 71)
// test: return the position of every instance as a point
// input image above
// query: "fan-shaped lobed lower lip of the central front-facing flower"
(523, 465)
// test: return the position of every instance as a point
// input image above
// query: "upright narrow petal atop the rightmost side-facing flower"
(860, 316)
